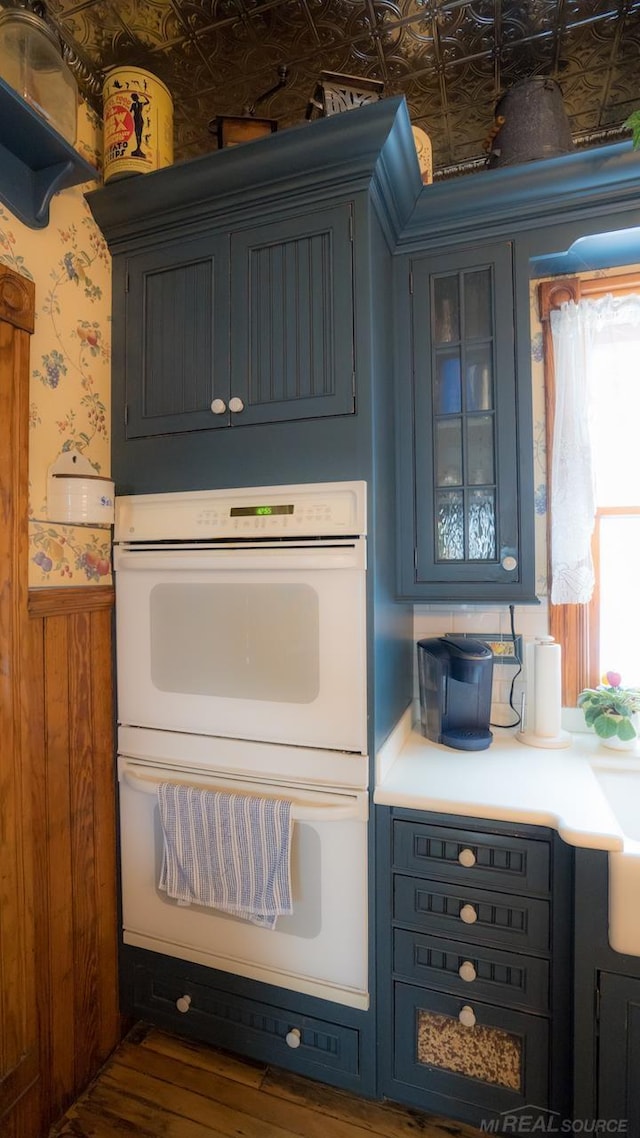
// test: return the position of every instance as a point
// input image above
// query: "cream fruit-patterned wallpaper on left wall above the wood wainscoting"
(70, 368)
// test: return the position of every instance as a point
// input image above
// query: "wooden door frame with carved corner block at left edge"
(20, 1091)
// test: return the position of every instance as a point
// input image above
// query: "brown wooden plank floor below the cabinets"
(157, 1085)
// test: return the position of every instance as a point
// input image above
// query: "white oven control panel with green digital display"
(314, 510)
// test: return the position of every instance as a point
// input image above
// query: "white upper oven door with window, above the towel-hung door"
(260, 644)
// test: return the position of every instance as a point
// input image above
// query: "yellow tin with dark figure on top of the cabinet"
(138, 123)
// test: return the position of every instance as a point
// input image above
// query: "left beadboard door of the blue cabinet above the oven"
(177, 332)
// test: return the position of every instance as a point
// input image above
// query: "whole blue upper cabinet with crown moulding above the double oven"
(252, 288)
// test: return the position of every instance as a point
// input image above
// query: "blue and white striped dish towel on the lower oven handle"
(228, 852)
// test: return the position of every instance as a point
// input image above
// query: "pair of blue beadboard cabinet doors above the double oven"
(289, 352)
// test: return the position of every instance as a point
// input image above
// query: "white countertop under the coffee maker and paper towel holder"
(507, 782)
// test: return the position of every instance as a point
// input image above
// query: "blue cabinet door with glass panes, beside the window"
(464, 526)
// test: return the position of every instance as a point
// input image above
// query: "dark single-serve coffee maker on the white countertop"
(456, 675)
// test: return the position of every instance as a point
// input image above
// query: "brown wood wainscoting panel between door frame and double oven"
(75, 802)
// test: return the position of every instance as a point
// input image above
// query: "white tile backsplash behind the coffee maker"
(530, 622)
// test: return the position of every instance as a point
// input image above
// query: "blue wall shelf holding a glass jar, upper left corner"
(36, 162)
